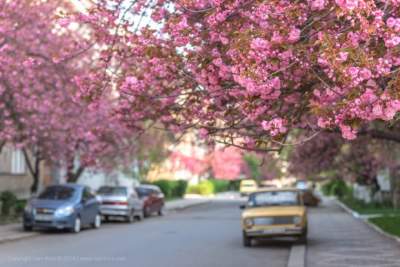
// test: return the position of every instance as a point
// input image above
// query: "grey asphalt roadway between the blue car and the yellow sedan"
(207, 235)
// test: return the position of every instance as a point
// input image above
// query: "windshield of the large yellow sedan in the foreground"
(274, 198)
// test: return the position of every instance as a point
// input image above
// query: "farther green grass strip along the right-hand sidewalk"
(370, 208)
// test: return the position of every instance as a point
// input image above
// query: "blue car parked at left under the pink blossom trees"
(68, 206)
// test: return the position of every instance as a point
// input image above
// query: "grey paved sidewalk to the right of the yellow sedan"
(336, 239)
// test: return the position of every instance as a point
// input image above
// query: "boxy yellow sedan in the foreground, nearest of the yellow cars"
(274, 213)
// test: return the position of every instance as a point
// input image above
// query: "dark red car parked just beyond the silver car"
(153, 199)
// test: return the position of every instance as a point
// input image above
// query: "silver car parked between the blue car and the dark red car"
(120, 201)
